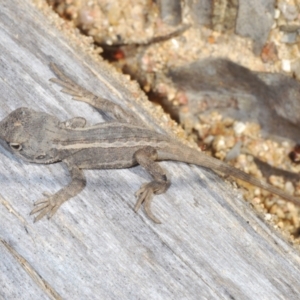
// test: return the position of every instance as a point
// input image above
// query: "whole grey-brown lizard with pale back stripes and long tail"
(39, 137)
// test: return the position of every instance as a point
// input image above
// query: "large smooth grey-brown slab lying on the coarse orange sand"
(272, 100)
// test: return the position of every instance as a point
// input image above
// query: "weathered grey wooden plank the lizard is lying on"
(211, 244)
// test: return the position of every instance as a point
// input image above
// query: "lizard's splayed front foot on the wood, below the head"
(47, 206)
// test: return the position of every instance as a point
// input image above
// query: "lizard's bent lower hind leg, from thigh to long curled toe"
(146, 158)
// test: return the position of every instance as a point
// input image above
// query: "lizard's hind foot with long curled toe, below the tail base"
(145, 196)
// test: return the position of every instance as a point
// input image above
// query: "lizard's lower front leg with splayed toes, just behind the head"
(48, 206)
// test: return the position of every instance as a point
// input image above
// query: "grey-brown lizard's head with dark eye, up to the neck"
(29, 133)
